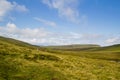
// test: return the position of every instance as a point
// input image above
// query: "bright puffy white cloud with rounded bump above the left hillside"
(12, 29)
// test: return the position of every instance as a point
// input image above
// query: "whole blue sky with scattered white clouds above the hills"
(61, 22)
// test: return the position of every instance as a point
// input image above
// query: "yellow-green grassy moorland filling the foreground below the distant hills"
(23, 63)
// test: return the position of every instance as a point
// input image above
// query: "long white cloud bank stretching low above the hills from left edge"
(40, 36)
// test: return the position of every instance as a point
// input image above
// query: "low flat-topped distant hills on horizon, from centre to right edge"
(86, 47)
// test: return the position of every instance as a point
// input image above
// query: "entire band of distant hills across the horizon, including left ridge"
(74, 47)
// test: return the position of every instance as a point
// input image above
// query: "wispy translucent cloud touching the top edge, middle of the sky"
(67, 9)
